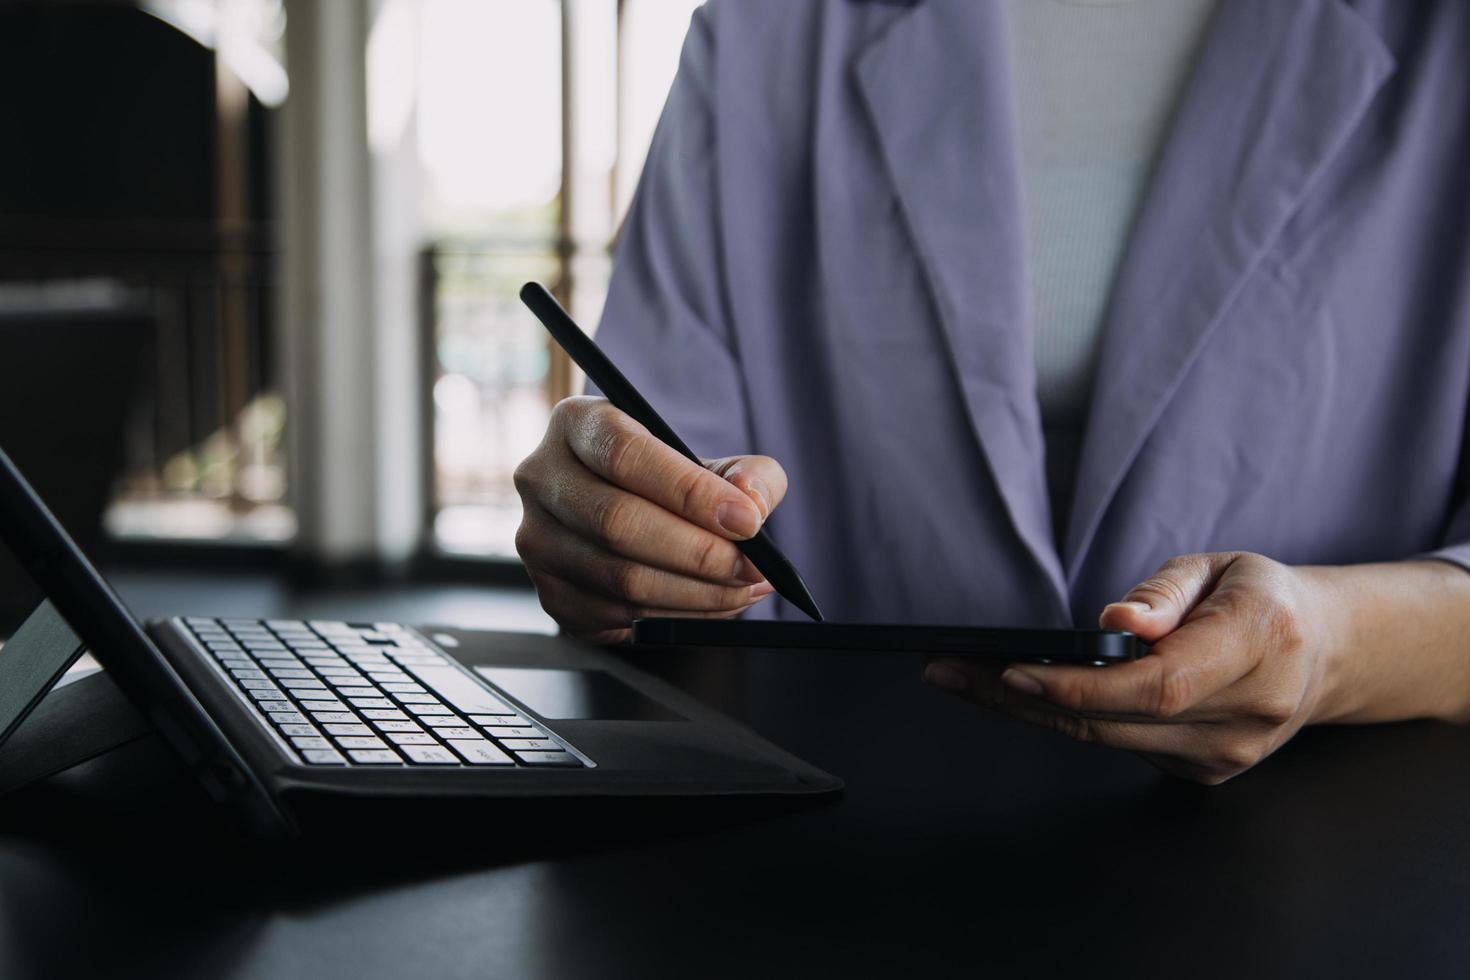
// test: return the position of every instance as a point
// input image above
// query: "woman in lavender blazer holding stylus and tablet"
(1153, 309)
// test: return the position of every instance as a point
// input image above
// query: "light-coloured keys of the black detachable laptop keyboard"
(373, 694)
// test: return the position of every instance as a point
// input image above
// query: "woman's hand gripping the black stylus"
(620, 525)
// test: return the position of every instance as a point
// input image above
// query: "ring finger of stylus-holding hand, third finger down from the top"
(561, 553)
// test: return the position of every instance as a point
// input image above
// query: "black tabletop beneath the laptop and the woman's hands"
(964, 841)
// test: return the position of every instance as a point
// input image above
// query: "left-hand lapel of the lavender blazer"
(939, 89)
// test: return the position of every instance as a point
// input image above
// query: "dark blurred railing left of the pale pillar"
(205, 443)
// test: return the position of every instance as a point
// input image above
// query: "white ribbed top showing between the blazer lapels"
(1097, 83)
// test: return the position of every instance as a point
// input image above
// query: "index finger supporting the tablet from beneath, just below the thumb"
(1180, 675)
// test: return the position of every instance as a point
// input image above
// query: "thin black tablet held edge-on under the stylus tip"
(1091, 647)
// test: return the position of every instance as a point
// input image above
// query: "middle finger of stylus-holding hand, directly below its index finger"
(637, 528)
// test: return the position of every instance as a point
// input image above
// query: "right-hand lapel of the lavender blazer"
(1277, 93)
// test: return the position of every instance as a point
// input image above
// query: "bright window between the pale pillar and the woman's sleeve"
(524, 189)
